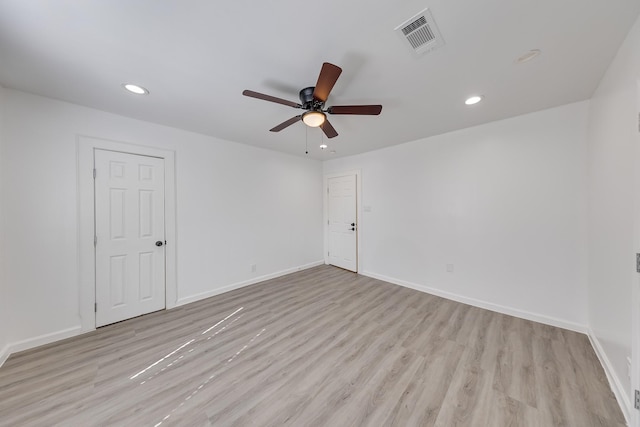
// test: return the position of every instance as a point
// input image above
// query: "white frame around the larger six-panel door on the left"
(86, 220)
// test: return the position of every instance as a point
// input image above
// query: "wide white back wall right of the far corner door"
(503, 202)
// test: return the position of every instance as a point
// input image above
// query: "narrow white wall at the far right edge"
(613, 157)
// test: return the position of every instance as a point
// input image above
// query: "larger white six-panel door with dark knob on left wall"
(129, 216)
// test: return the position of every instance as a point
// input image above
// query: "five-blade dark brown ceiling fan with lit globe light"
(312, 99)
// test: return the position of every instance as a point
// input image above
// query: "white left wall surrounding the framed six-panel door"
(236, 205)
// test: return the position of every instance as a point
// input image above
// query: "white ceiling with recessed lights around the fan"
(196, 58)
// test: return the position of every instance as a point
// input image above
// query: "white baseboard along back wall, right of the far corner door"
(535, 317)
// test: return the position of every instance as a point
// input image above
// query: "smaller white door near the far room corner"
(342, 208)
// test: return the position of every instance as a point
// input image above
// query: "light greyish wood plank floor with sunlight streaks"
(322, 347)
